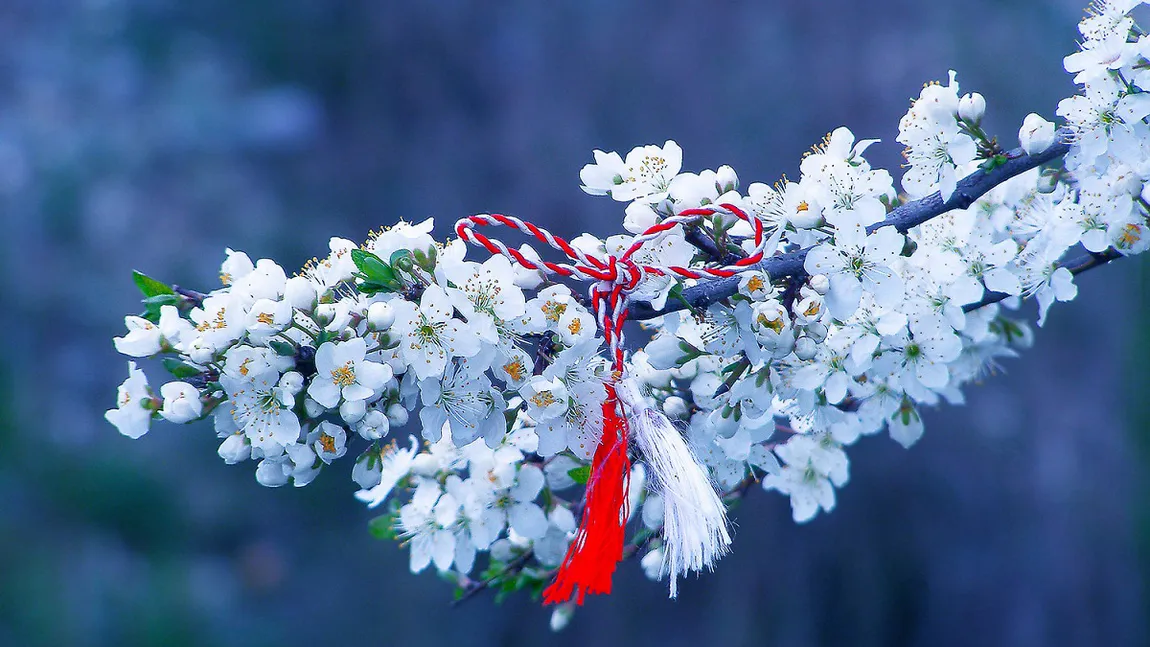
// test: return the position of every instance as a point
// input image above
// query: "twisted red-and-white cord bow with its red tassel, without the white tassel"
(599, 546)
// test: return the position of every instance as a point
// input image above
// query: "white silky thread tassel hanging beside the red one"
(694, 519)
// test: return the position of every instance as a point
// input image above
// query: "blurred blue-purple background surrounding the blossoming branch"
(154, 134)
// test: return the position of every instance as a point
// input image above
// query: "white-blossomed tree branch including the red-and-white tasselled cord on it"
(781, 323)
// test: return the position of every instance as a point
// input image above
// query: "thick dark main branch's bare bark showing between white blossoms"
(970, 189)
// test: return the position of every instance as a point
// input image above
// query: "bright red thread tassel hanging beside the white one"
(599, 545)
